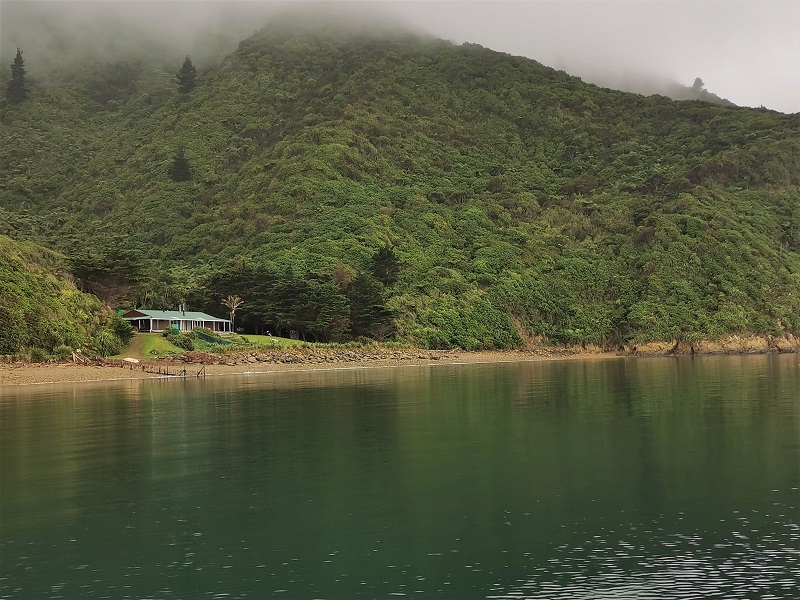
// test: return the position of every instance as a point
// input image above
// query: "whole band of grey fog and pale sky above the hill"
(746, 51)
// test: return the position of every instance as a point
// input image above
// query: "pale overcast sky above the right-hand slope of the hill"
(747, 51)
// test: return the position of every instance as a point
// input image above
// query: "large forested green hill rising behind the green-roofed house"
(346, 183)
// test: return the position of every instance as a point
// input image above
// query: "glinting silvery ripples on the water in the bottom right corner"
(743, 565)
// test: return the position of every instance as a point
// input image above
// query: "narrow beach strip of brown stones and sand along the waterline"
(192, 364)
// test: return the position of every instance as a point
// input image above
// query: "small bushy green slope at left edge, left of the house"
(43, 314)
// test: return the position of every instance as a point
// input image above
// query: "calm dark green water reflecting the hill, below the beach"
(617, 479)
